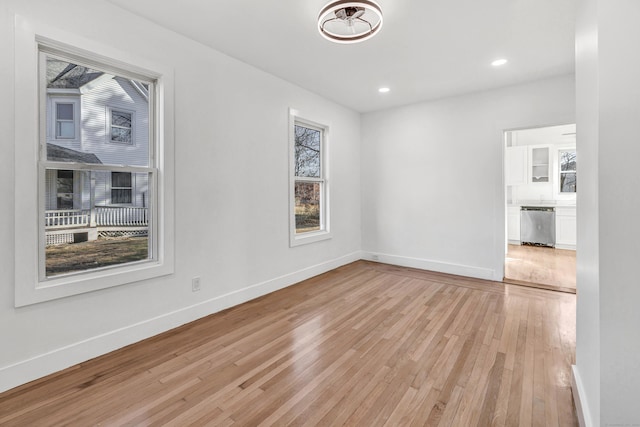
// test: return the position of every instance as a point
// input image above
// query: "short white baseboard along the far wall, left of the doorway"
(439, 266)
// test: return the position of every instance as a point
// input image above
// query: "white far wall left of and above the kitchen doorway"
(433, 193)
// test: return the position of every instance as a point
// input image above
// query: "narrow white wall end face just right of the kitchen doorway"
(587, 370)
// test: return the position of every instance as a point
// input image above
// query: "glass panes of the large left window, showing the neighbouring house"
(88, 234)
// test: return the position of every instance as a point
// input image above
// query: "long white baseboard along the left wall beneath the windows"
(61, 358)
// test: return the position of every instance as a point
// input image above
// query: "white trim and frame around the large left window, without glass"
(29, 191)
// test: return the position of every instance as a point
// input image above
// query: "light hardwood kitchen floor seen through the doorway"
(542, 267)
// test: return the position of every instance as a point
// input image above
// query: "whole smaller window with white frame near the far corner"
(309, 192)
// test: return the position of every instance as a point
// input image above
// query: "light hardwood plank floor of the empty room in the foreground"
(363, 345)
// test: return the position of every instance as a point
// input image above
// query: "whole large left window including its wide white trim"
(93, 214)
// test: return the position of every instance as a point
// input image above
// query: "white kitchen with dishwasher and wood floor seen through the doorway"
(541, 188)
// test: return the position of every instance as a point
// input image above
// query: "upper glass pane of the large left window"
(87, 113)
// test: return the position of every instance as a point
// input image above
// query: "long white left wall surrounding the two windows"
(231, 180)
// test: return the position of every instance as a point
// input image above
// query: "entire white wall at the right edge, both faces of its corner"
(608, 350)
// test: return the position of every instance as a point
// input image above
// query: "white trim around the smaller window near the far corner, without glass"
(296, 239)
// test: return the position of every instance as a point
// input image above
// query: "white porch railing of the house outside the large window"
(105, 216)
